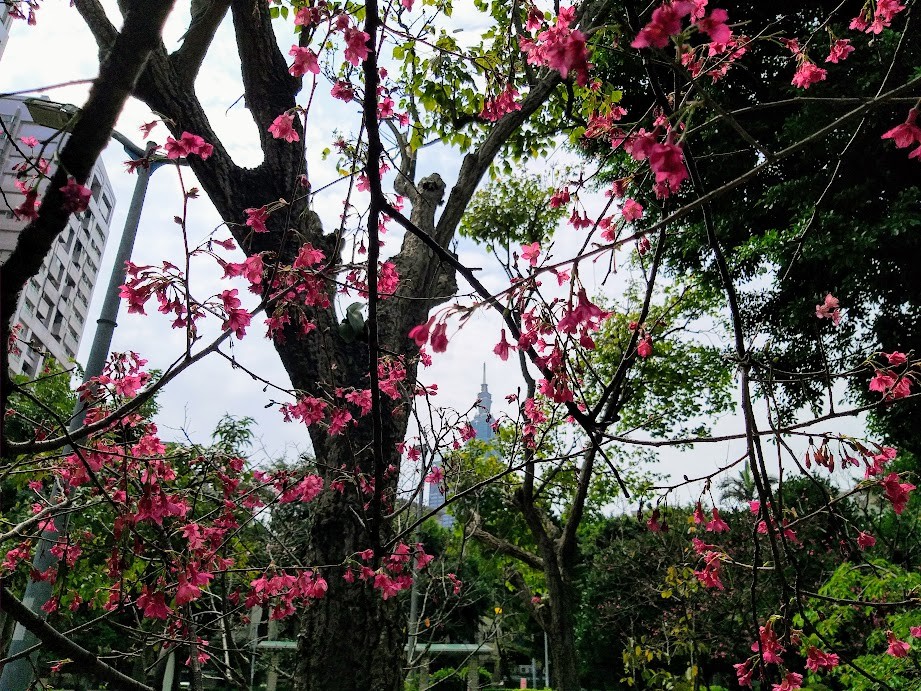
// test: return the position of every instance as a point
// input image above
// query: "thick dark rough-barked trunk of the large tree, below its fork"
(352, 639)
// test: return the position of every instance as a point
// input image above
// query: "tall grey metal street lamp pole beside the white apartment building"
(17, 674)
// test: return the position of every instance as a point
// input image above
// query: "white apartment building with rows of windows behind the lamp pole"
(53, 307)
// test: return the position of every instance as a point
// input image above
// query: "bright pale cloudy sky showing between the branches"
(193, 404)
